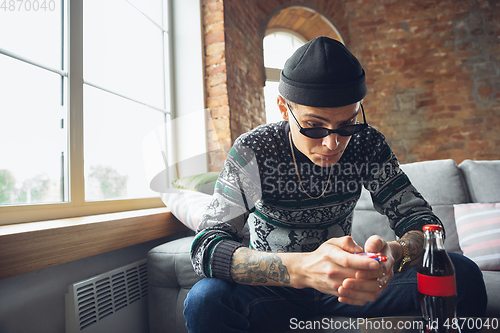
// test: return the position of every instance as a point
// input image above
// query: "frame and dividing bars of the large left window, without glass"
(77, 206)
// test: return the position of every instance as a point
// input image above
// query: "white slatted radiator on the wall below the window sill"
(115, 301)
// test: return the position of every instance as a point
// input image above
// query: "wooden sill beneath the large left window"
(31, 246)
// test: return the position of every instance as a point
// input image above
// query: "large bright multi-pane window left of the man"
(82, 84)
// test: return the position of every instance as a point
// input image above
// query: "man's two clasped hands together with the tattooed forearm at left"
(333, 268)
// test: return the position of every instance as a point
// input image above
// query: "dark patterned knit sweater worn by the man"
(258, 185)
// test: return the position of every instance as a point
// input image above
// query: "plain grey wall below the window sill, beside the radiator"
(34, 302)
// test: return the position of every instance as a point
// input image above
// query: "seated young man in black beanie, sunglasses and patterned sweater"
(295, 184)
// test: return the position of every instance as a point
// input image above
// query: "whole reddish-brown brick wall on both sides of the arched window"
(432, 67)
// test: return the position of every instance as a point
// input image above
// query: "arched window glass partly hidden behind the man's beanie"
(278, 47)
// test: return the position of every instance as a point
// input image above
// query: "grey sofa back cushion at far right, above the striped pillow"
(483, 180)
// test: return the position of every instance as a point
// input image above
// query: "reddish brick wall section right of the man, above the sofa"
(433, 75)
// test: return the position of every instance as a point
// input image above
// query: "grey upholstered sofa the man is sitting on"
(443, 183)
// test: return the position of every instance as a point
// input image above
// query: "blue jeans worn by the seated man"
(214, 305)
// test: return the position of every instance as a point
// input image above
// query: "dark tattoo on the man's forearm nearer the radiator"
(258, 267)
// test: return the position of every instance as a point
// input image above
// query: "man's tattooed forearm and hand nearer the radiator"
(324, 269)
